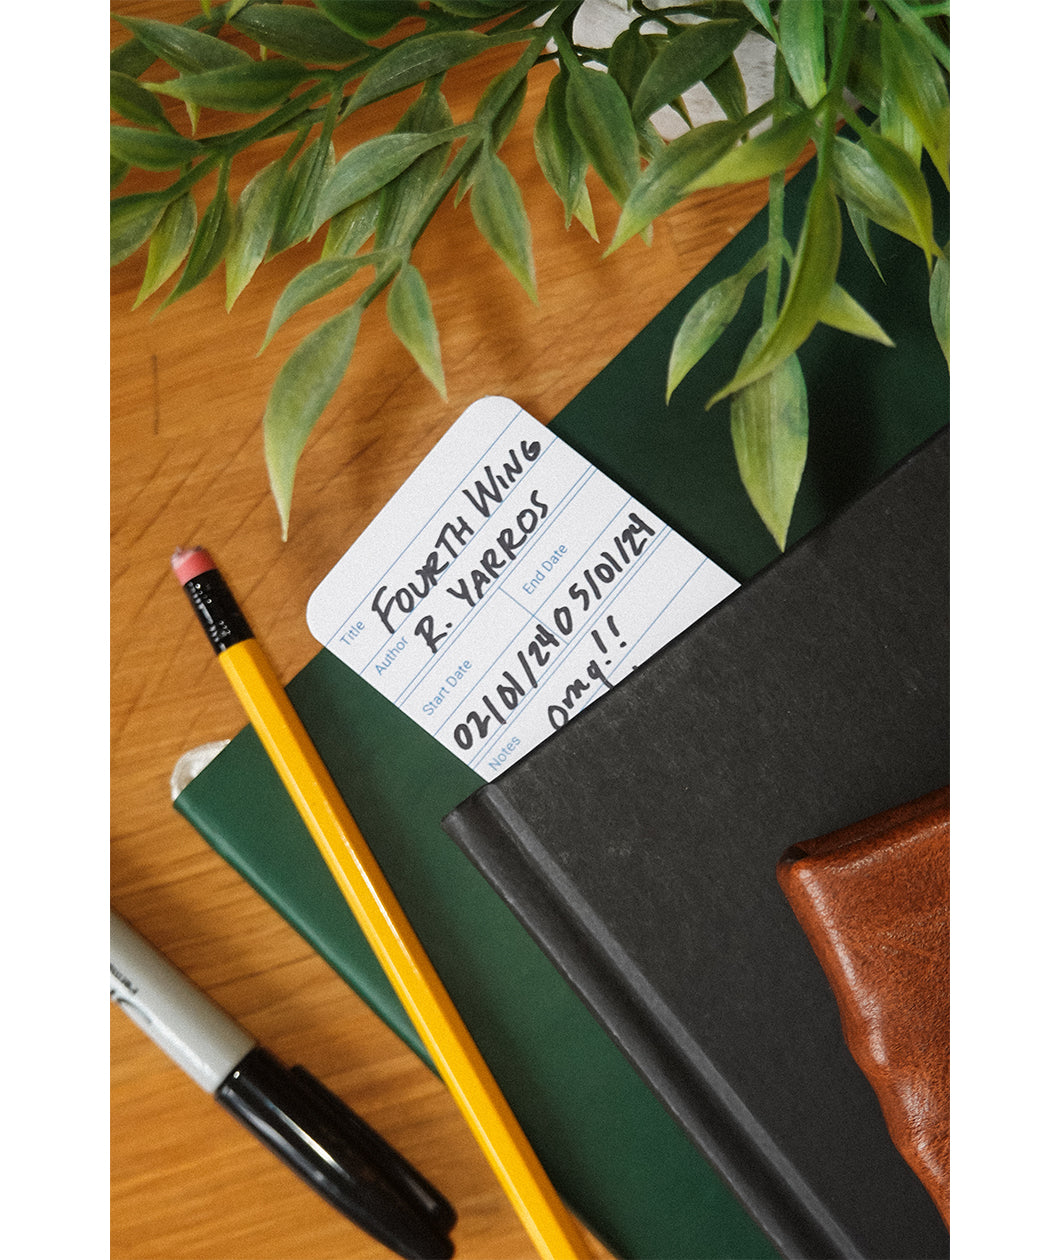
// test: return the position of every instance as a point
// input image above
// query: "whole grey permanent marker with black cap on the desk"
(313, 1132)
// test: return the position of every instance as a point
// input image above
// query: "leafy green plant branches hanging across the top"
(372, 201)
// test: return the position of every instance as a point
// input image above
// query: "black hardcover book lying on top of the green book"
(640, 849)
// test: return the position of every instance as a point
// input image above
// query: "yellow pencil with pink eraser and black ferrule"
(550, 1225)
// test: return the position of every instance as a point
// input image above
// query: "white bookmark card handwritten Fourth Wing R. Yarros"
(507, 585)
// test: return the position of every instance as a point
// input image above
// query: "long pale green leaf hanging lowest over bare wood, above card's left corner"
(302, 391)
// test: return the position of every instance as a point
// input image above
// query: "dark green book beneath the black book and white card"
(611, 1147)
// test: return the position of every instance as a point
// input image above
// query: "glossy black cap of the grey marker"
(318, 1137)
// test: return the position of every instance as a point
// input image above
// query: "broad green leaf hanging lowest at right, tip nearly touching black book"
(769, 421)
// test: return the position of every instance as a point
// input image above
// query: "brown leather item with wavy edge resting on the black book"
(874, 903)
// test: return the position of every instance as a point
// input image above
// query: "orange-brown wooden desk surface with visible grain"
(188, 395)
